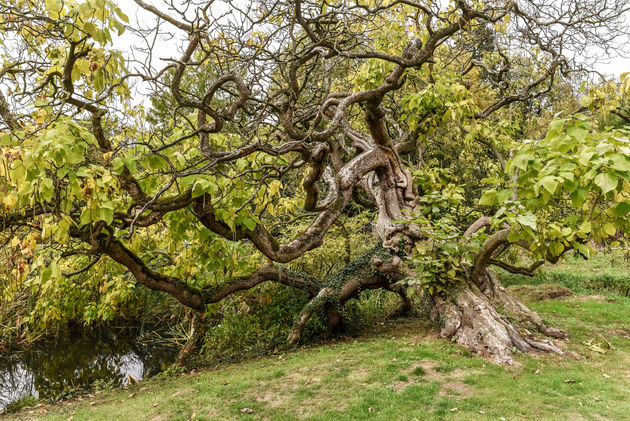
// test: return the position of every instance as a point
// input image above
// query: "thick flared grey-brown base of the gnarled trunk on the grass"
(472, 317)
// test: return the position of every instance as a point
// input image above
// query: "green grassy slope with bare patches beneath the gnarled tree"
(403, 373)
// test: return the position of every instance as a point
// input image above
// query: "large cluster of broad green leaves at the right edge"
(571, 186)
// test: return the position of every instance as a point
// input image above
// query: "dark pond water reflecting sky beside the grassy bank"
(55, 370)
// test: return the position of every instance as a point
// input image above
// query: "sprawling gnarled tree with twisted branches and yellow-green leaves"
(276, 111)
